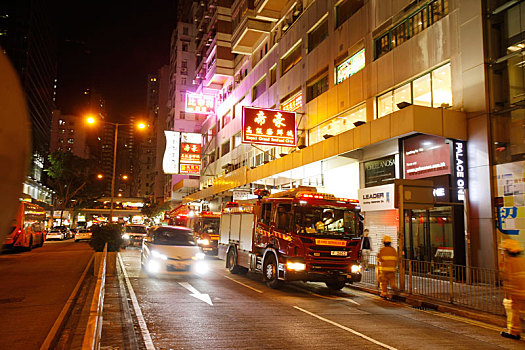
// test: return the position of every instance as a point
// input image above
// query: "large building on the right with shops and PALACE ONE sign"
(382, 90)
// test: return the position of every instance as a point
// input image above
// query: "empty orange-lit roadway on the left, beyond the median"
(34, 287)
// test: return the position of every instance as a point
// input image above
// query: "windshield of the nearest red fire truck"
(325, 221)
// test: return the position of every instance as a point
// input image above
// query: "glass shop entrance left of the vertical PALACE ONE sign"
(435, 234)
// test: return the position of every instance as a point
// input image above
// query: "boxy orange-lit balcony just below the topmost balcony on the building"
(249, 33)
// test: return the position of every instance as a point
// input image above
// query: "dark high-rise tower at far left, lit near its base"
(29, 38)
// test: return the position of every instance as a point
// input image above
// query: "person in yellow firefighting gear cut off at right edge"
(514, 286)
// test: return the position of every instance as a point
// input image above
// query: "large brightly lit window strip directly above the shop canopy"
(433, 89)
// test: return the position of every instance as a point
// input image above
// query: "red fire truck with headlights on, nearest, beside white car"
(296, 235)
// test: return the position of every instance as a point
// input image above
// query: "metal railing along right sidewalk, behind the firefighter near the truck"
(472, 287)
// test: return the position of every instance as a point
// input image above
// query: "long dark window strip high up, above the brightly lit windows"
(405, 29)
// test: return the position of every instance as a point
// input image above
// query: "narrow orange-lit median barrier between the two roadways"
(94, 325)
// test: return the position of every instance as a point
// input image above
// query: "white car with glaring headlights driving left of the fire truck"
(172, 250)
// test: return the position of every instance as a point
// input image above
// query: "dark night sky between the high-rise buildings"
(111, 46)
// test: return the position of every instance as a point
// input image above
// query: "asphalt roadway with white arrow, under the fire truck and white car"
(242, 313)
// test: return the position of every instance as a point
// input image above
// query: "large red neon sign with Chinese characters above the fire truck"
(269, 127)
